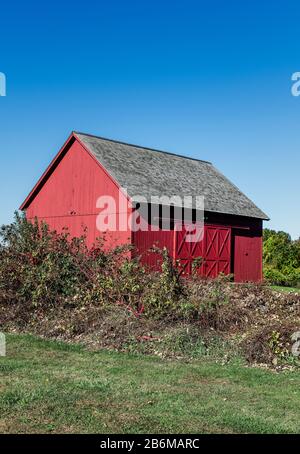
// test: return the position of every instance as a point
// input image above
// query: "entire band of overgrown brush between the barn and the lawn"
(54, 286)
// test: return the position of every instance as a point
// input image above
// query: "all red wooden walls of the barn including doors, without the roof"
(67, 194)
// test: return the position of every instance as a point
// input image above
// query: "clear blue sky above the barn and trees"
(210, 79)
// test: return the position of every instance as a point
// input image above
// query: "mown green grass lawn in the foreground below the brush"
(48, 386)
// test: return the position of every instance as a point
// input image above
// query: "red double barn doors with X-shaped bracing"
(214, 248)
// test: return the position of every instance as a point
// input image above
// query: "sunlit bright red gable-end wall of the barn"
(68, 197)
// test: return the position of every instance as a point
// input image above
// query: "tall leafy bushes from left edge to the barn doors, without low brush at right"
(41, 268)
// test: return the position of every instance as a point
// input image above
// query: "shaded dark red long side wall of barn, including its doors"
(231, 244)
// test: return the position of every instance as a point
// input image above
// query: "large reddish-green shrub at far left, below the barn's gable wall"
(39, 267)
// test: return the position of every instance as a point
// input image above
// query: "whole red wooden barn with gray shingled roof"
(100, 185)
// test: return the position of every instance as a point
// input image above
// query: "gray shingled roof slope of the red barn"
(147, 172)
